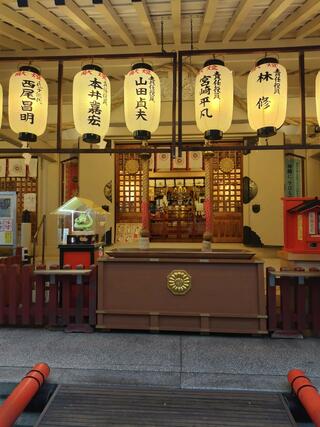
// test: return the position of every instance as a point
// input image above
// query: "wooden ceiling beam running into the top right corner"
(311, 7)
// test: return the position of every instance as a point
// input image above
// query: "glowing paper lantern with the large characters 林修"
(267, 97)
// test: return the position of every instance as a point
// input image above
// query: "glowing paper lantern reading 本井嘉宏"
(91, 103)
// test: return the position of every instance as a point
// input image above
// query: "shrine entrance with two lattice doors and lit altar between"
(176, 192)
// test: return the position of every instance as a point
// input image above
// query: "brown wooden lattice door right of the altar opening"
(227, 196)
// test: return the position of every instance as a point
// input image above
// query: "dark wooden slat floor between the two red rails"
(99, 406)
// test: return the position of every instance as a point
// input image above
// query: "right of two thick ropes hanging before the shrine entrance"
(207, 235)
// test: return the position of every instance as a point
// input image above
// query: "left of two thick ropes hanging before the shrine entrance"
(145, 214)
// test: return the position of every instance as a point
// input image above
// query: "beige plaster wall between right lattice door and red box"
(266, 168)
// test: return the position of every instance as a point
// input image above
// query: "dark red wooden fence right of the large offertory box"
(299, 308)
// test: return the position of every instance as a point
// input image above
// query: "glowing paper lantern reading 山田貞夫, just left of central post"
(142, 101)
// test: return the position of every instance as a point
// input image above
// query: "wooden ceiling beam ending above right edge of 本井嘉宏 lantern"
(76, 14)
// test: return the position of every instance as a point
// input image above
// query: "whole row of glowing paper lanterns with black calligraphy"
(266, 100)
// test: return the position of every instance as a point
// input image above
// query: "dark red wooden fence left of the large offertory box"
(51, 297)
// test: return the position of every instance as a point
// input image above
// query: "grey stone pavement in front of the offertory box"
(170, 360)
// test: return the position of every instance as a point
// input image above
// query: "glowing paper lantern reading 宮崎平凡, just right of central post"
(214, 99)
